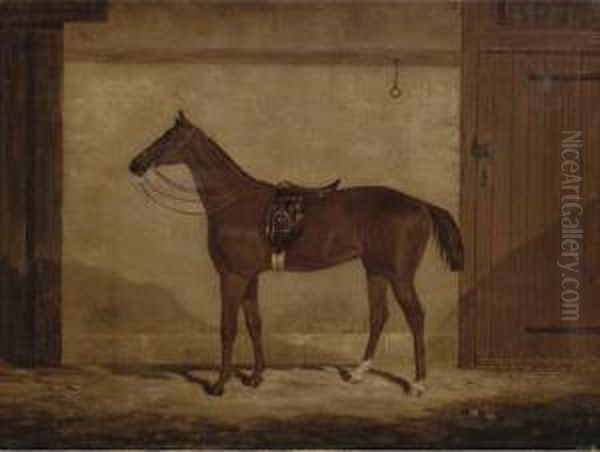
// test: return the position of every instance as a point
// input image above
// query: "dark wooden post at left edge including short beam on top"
(31, 165)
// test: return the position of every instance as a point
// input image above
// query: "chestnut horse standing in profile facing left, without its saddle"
(387, 230)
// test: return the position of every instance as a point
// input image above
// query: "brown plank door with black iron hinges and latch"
(535, 167)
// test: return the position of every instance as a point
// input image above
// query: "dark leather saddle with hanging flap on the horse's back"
(285, 215)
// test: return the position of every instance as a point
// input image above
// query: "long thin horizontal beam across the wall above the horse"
(286, 56)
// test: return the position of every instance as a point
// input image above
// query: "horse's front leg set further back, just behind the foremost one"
(253, 324)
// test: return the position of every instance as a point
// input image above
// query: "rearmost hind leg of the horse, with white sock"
(407, 298)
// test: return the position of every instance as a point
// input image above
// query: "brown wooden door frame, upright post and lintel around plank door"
(482, 32)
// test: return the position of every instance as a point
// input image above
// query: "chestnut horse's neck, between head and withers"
(219, 180)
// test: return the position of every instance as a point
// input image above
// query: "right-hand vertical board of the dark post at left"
(45, 197)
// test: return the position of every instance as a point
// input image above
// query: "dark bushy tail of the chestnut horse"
(447, 237)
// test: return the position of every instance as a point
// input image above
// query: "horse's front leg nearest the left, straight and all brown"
(233, 289)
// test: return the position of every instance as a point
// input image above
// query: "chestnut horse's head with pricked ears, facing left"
(168, 149)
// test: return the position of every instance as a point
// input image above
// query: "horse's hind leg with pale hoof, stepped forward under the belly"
(378, 315)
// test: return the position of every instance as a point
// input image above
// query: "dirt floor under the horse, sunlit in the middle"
(158, 406)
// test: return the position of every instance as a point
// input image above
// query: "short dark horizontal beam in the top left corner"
(32, 13)
